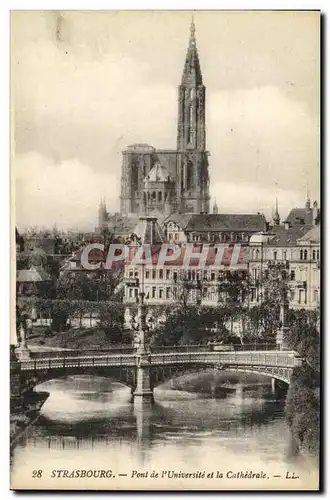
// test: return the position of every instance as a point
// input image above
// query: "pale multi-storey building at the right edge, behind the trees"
(298, 249)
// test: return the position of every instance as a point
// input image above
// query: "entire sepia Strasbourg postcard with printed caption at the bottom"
(165, 215)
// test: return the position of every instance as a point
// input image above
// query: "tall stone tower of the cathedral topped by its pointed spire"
(193, 187)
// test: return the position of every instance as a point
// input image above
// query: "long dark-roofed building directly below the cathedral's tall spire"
(213, 228)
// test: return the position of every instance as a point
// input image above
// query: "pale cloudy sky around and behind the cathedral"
(87, 83)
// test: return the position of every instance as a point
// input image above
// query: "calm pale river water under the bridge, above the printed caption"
(95, 416)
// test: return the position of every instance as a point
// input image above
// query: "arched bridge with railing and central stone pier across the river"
(142, 370)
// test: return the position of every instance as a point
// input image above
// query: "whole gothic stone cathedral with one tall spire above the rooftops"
(159, 182)
